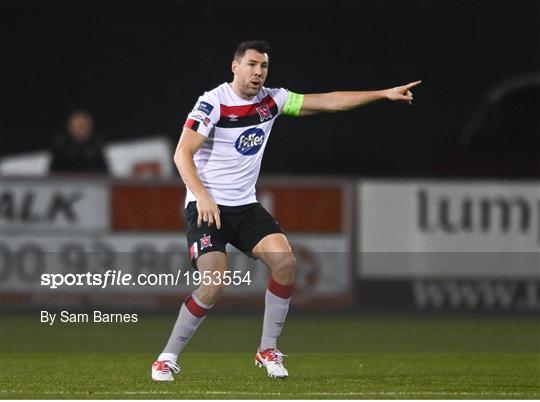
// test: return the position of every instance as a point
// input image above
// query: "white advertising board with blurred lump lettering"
(450, 229)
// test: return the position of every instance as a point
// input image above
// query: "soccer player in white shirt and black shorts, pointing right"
(219, 158)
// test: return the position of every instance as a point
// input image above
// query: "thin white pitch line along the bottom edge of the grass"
(382, 393)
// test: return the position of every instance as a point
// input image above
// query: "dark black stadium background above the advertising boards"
(138, 66)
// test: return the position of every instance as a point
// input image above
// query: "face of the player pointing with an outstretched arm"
(250, 72)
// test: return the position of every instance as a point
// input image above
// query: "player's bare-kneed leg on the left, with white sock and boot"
(192, 313)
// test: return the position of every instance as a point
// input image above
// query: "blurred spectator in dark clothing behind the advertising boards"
(78, 150)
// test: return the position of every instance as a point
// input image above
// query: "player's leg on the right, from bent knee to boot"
(274, 250)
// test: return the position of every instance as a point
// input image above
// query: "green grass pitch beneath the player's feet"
(329, 358)
